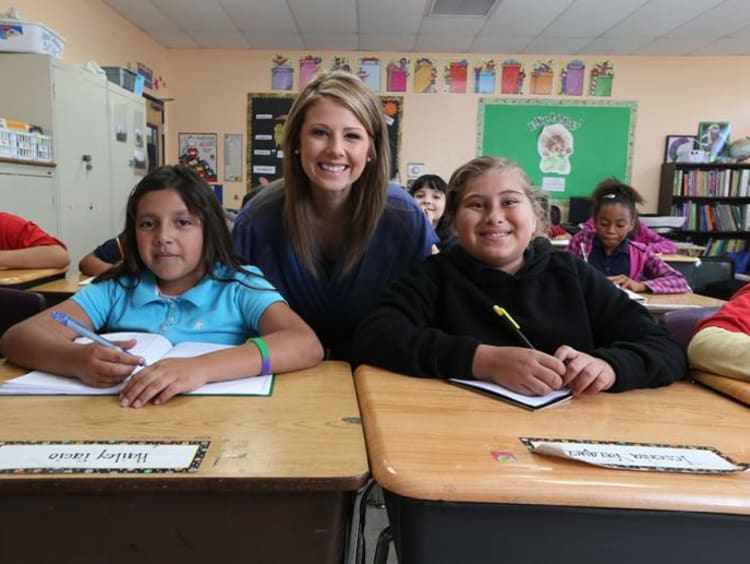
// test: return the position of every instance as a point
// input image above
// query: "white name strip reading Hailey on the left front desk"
(123, 456)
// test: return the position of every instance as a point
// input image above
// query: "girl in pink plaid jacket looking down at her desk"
(627, 263)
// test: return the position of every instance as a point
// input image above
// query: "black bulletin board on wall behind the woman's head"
(266, 117)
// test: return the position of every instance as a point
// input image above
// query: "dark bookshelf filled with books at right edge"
(715, 198)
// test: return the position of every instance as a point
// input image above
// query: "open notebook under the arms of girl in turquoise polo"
(150, 346)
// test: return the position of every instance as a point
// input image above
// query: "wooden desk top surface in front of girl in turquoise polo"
(305, 436)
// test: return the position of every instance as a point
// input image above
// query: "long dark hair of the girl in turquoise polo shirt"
(200, 201)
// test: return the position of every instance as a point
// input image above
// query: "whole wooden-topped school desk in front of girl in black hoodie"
(460, 487)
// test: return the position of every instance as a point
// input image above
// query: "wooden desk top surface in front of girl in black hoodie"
(430, 440)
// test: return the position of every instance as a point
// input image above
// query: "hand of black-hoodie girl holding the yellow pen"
(526, 371)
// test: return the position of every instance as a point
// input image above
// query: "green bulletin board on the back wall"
(566, 147)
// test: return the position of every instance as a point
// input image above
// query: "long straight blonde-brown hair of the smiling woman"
(368, 195)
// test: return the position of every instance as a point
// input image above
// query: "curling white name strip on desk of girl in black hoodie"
(637, 456)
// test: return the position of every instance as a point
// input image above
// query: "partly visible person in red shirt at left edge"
(23, 244)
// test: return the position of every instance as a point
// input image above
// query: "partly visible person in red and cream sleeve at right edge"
(721, 344)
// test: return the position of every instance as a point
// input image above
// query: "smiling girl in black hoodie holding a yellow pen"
(439, 321)
